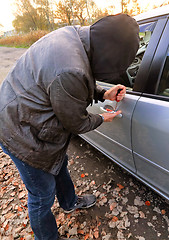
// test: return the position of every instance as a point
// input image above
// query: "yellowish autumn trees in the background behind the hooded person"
(32, 15)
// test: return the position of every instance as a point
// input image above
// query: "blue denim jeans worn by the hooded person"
(42, 188)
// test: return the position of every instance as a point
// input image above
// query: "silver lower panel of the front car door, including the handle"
(114, 138)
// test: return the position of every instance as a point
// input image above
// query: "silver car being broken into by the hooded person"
(138, 140)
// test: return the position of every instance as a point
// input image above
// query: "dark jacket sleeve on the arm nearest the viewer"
(68, 96)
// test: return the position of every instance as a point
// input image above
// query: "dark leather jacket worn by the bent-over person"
(44, 98)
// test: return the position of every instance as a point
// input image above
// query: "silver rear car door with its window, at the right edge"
(150, 122)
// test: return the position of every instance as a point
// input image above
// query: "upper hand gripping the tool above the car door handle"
(112, 94)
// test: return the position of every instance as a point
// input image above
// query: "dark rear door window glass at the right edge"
(163, 88)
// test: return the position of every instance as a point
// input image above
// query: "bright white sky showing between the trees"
(6, 9)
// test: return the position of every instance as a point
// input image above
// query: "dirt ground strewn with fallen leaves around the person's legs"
(125, 208)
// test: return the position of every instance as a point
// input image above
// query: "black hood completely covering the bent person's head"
(114, 43)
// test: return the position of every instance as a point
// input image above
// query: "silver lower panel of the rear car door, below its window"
(150, 131)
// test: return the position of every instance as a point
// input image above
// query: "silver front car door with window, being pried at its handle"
(114, 139)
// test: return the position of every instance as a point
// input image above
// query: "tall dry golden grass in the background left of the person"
(22, 41)
